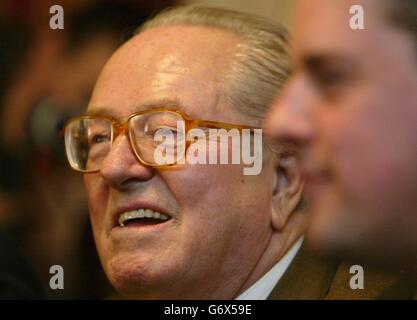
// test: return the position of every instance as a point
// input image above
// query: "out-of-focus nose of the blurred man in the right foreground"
(288, 119)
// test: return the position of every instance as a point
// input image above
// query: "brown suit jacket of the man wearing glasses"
(313, 278)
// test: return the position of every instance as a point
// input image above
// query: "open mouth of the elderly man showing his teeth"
(142, 217)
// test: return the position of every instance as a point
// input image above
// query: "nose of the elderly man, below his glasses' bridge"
(121, 169)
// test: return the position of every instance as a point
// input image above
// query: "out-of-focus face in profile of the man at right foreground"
(352, 106)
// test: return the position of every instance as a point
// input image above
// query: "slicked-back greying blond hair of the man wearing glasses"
(260, 66)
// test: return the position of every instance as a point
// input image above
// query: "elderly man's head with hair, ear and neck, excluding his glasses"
(224, 229)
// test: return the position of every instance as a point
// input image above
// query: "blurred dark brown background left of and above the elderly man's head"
(46, 76)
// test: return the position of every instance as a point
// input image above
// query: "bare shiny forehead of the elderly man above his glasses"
(179, 63)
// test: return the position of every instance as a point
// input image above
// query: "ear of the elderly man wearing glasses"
(287, 189)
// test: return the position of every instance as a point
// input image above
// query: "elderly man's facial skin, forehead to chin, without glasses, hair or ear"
(219, 220)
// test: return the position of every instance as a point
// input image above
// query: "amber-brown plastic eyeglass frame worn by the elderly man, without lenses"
(121, 127)
